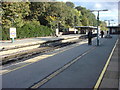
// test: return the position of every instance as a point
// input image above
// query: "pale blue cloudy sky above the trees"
(111, 5)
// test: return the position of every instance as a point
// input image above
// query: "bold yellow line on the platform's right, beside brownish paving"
(104, 69)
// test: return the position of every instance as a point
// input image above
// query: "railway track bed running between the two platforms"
(43, 48)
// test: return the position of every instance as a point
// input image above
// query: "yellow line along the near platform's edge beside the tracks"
(38, 58)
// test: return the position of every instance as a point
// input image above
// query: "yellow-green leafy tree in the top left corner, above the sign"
(13, 9)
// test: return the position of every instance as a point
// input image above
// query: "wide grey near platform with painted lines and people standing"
(82, 66)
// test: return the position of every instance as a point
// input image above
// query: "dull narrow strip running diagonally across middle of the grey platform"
(60, 70)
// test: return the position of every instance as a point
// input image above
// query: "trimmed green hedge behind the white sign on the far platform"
(29, 29)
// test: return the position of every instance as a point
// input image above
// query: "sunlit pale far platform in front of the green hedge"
(31, 41)
